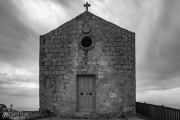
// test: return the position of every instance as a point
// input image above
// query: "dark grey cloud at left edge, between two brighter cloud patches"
(18, 43)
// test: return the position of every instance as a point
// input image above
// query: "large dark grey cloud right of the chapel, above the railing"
(162, 60)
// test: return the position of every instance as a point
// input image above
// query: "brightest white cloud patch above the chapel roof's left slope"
(40, 16)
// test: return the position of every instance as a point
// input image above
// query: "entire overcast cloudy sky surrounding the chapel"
(155, 22)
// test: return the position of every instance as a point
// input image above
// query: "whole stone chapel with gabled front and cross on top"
(87, 65)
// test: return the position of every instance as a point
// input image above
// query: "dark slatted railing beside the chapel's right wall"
(155, 112)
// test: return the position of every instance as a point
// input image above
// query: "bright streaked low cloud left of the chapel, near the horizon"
(17, 82)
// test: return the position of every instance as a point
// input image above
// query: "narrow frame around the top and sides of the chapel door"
(77, 90)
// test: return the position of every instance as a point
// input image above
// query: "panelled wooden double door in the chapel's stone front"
(86, 93)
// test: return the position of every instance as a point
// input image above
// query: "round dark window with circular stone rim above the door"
(88, 47)
